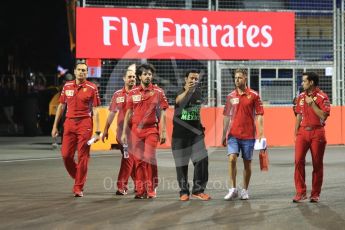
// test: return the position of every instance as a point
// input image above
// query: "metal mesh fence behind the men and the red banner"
(319, 39)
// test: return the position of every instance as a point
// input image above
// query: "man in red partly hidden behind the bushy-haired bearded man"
(118, 105)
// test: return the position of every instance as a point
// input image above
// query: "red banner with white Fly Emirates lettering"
(184, 34)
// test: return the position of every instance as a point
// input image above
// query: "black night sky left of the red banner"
(36, 34)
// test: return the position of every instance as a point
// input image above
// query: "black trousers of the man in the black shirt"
(191, 148)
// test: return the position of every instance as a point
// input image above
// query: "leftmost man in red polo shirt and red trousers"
(80, 96)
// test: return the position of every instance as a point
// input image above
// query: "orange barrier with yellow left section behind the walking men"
(278, 127)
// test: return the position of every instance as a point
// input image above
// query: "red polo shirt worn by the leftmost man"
(79, 98)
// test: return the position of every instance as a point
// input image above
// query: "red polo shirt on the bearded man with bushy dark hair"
(146, 105)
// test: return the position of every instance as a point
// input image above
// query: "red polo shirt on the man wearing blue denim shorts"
(242, 110)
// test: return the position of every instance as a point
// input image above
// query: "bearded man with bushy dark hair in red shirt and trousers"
(145, 103)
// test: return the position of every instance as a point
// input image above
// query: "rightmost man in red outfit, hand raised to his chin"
(313, 108)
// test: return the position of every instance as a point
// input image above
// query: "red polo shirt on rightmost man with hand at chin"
(309, 117)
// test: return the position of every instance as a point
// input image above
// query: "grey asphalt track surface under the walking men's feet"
(35, 193)
